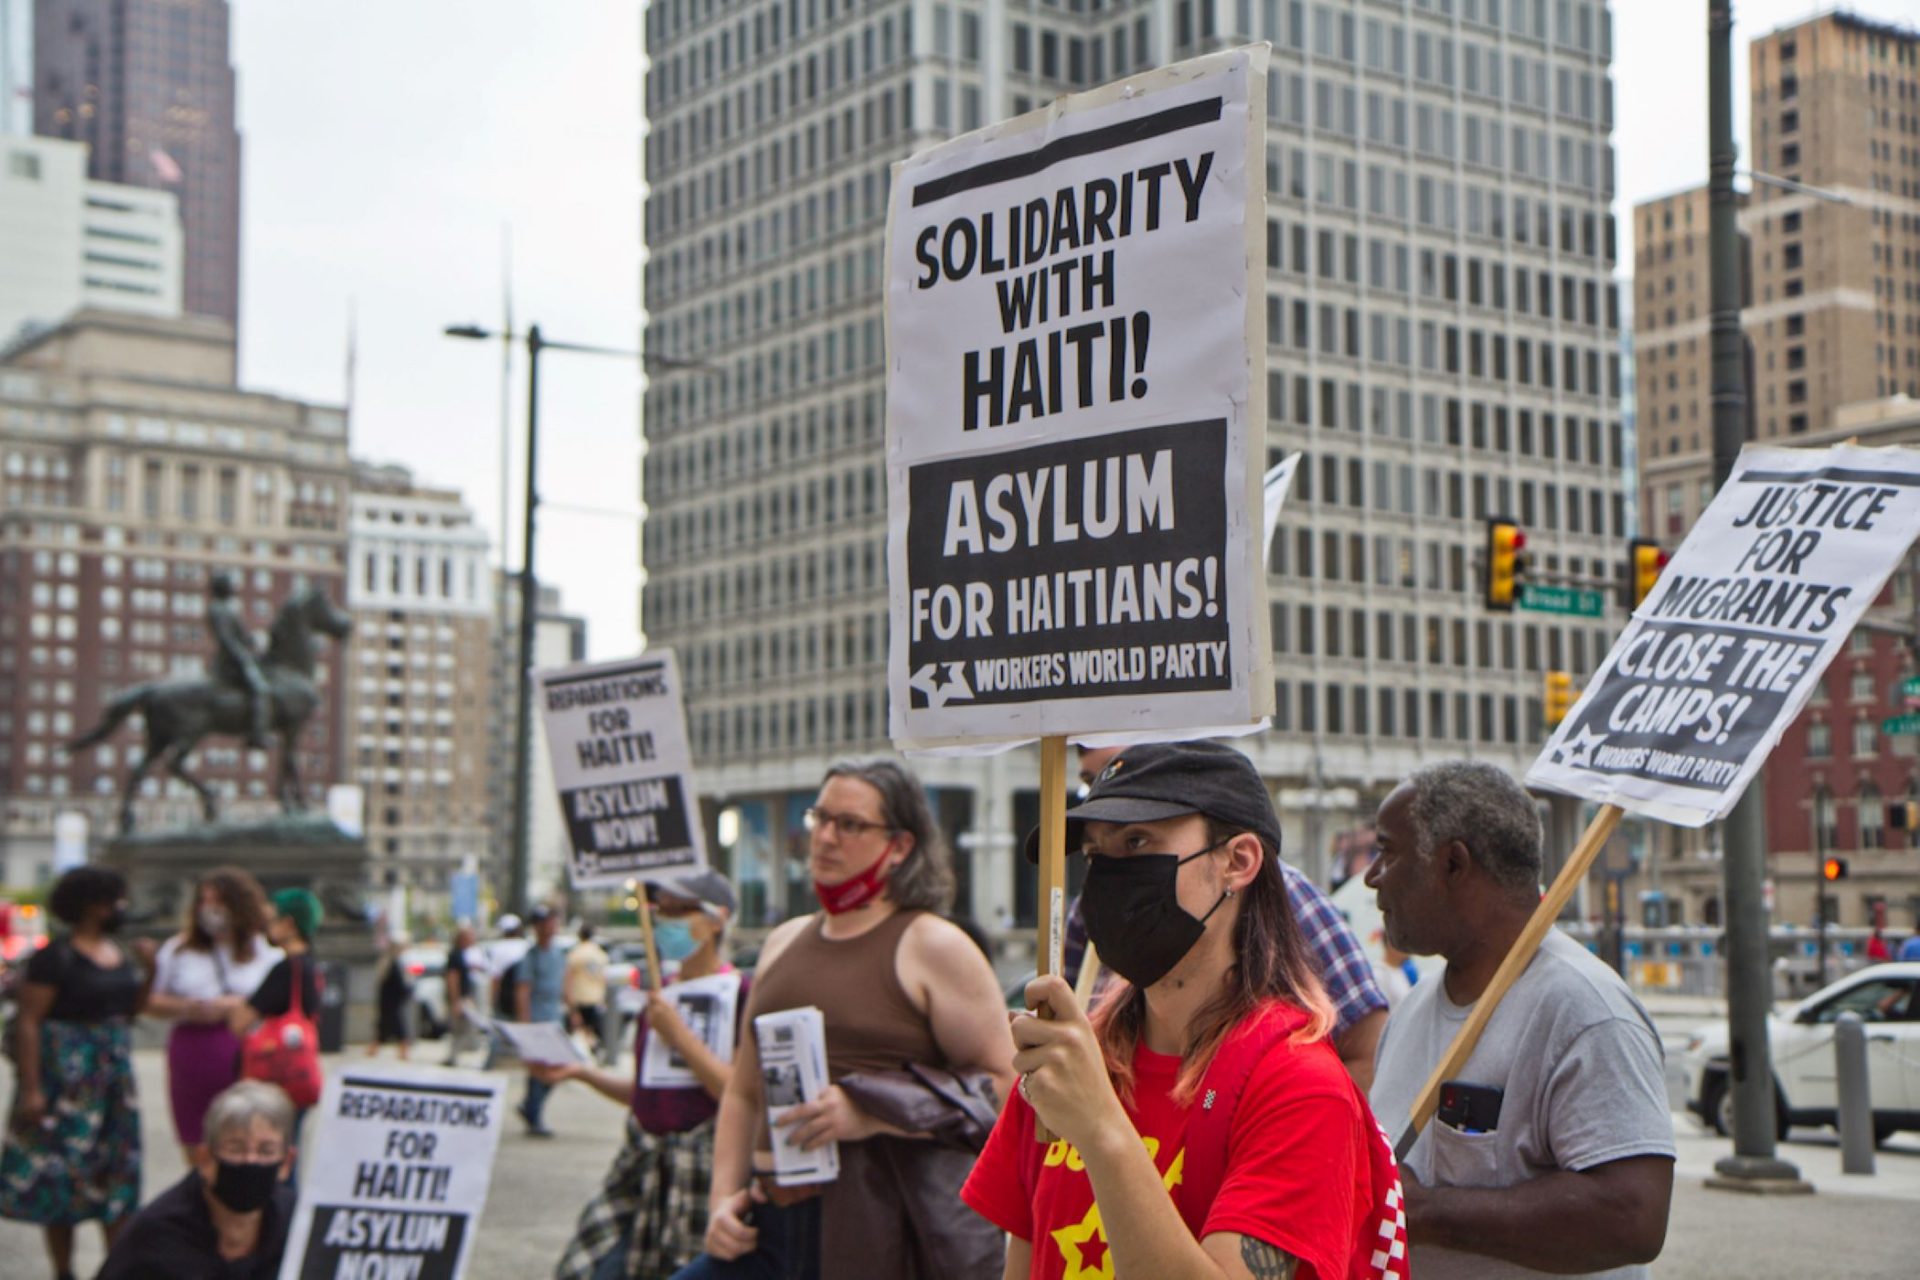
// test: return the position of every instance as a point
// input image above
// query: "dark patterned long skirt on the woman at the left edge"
(87, 1162)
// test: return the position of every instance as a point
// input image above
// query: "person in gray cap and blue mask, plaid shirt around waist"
(650, 1214)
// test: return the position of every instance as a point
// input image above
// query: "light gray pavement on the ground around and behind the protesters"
(1858, 1227)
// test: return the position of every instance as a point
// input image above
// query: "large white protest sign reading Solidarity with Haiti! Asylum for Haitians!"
(1074, 421)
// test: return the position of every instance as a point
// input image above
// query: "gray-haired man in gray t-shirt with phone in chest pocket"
(1572, 1173)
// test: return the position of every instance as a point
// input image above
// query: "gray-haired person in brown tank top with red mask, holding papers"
(896, 985)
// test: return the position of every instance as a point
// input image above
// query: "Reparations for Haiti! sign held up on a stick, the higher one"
(619, 742)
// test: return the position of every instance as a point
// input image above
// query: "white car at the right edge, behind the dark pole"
(1802, 1043)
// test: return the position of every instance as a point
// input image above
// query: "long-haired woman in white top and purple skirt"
(201, 978)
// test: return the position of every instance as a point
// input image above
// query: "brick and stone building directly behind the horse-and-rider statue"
(132, 467)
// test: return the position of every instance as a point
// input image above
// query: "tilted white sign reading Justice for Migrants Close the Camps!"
(1733, 640)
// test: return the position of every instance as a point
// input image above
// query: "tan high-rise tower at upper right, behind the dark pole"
(1833, 273)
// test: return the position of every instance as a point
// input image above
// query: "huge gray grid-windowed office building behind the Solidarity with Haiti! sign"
(1443, 344)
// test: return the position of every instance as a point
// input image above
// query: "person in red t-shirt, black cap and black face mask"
(1205, 1126)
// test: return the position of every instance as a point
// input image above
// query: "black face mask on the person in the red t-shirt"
(1136, 918)
